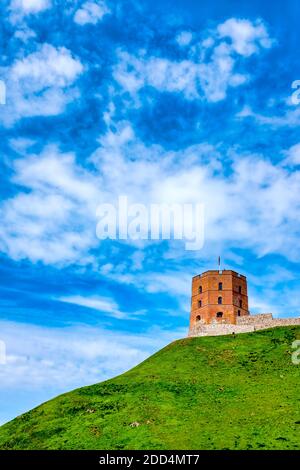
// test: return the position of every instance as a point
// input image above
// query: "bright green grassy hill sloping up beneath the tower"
(221, 392)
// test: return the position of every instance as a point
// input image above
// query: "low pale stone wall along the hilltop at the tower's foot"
(243, 325)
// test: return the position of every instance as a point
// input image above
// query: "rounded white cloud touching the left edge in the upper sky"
(40, 84)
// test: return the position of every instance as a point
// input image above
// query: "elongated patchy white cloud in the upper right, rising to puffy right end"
(207, 72)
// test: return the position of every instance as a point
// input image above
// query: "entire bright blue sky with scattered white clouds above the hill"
(170, 101)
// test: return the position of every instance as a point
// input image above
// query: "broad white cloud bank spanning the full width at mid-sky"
(54, 219)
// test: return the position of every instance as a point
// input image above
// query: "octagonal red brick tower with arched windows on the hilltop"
(218, 297)
